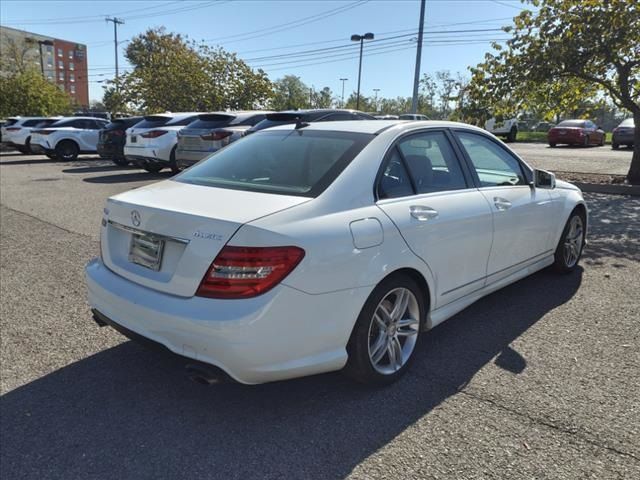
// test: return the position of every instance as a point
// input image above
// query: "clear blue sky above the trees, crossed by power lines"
(308, 38)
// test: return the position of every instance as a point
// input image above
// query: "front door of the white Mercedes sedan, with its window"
(522, 214)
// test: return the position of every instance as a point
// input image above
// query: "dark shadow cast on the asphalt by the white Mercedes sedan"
(130, 412)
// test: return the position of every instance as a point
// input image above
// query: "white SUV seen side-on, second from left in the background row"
(68, 137)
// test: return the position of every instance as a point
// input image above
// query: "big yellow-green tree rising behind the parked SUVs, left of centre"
(173, 73)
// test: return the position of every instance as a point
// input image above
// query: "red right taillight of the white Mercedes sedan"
(243, 272)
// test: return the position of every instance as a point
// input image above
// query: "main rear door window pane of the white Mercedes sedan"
(432, 162)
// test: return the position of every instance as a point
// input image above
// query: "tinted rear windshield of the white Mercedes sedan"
(285, 162)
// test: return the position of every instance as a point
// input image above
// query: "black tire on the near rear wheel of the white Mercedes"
(359, 365)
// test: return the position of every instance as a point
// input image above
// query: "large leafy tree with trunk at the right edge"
(594, 43)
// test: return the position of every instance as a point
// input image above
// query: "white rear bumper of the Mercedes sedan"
(282, 334)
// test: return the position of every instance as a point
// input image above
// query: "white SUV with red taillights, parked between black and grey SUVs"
(151, 144)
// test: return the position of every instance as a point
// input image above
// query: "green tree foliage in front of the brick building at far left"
(29, 94)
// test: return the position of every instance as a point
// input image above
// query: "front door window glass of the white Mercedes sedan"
(493, 164)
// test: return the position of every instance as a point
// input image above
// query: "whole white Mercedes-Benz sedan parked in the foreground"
(310, 248)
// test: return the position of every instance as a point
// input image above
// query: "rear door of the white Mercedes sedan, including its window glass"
(428, 193)
